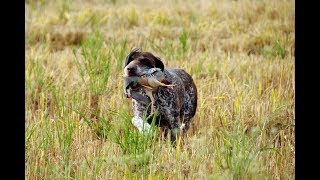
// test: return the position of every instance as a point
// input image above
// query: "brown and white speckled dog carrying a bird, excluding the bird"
(176, 106)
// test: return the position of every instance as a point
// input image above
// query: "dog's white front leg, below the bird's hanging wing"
(137, 121)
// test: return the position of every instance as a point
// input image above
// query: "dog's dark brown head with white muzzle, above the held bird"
(138, 63)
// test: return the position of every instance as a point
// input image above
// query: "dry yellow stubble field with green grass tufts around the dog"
(240, 54)
